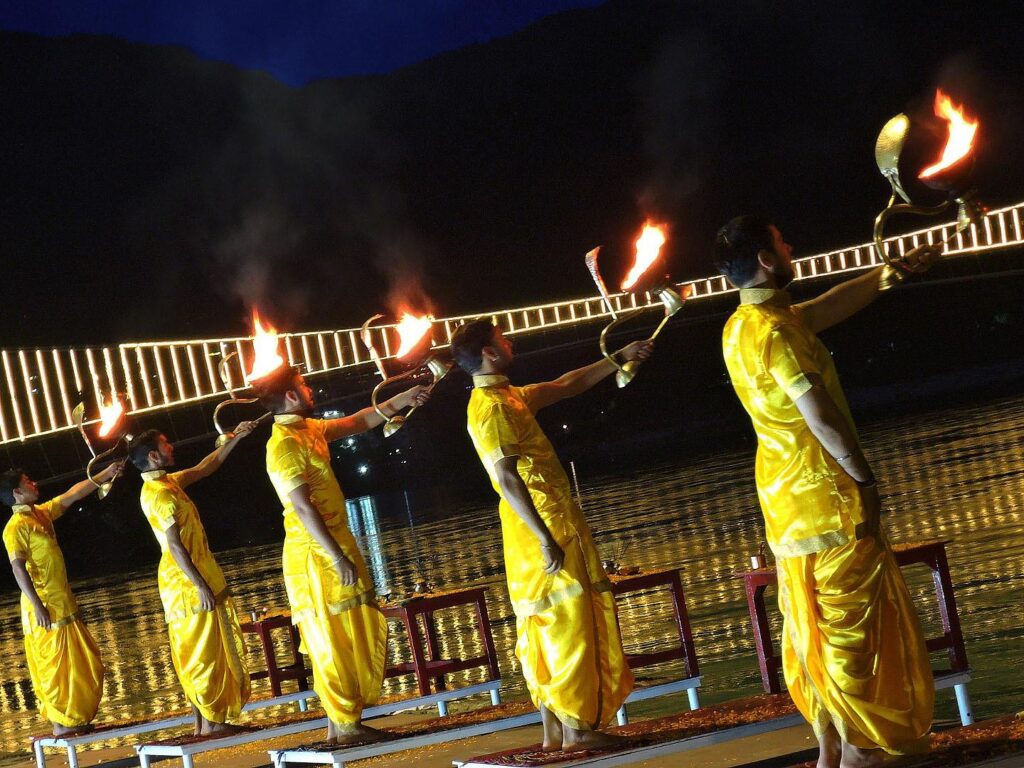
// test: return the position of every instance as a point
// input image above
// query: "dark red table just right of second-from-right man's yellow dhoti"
(625, 584)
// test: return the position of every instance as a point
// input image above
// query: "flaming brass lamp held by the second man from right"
(647, 276)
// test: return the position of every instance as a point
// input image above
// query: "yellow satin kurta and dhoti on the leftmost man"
(64, 662)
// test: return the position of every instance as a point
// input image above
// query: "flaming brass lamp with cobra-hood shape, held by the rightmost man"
(951, 175)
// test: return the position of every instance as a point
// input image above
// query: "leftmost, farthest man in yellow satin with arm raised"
(64, 662)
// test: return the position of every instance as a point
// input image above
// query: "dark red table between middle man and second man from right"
(428, 663)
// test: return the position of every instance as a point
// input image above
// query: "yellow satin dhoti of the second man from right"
(569, 642)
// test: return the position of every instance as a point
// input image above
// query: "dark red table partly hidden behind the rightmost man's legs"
(932, 554)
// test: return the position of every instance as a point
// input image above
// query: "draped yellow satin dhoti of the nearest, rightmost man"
(854, 652)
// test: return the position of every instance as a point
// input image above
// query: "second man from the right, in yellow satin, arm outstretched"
(569, 642)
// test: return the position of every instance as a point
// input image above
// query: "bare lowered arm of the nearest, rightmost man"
(837, 437)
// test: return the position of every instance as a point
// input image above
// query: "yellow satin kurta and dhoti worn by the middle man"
(343, 629)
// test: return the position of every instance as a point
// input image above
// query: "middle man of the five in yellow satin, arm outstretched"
(330, 590)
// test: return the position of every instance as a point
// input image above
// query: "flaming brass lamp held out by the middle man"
(415, 350)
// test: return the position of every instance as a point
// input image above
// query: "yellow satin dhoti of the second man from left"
(207, 652)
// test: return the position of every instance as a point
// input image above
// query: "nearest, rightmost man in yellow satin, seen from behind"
(854, 653)
